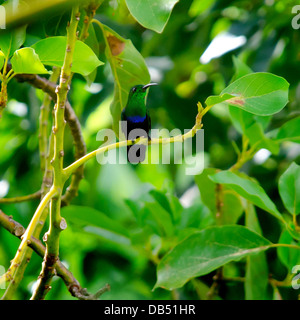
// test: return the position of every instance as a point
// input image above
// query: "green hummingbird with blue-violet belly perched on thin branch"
(136, 116)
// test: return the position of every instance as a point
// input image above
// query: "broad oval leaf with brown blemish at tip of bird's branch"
(258, 93)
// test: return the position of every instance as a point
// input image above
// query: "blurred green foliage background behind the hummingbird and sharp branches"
(161, 197)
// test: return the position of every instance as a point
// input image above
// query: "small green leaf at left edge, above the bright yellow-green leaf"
(12, 40)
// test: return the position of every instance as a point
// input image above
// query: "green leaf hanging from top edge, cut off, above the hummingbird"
(151, 14)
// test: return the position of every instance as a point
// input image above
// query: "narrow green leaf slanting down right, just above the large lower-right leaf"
(248, 189)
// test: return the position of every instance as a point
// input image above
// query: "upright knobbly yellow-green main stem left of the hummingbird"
(57, 223)
